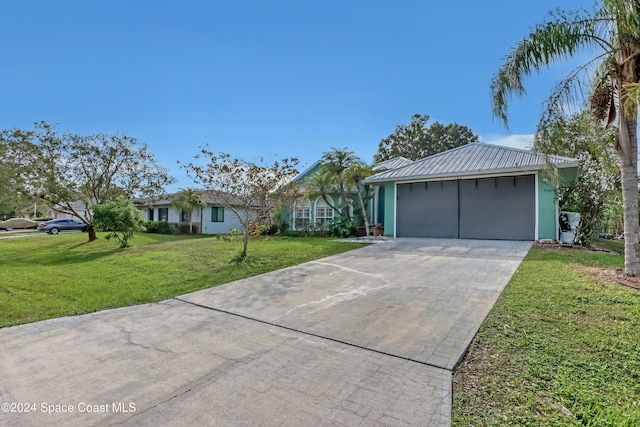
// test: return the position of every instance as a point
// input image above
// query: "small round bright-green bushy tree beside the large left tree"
(120, 218)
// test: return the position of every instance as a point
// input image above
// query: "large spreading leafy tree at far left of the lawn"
(95, 169)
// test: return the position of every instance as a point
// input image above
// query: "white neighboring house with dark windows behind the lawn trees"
(212, 219)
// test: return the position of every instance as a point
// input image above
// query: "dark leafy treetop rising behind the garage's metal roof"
(417, 140)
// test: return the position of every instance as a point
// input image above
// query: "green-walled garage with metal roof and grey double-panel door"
(477, 191)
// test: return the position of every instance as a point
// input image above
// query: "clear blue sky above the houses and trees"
(265, 79)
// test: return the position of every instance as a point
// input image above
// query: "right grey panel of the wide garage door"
(498, 208)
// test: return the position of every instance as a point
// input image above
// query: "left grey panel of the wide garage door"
(428, 209)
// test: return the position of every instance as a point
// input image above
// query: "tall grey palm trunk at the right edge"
(628, 149)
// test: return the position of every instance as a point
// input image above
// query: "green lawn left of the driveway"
(46, 276)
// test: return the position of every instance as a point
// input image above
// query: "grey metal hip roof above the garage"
(474, 159)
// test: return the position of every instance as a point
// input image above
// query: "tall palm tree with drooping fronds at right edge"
(613, 31)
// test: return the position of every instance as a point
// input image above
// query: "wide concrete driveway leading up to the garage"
(369, 337)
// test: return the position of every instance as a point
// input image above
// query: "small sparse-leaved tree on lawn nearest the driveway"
(250, 190)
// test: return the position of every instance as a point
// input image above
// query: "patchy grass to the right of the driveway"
(558, 349)
